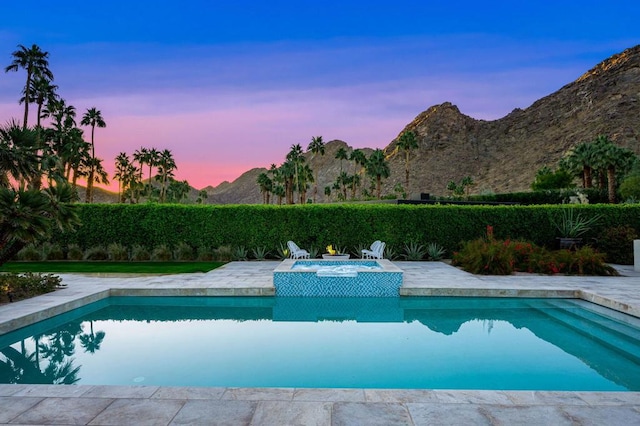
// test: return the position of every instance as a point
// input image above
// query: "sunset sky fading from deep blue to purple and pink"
(228, 86)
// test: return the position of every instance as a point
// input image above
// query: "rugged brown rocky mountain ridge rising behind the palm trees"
(501, 155)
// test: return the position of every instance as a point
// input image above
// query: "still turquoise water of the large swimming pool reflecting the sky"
(429, 343)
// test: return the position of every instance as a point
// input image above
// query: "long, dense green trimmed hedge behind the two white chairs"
(345, 225)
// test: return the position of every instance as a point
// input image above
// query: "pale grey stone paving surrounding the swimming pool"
(125, 405)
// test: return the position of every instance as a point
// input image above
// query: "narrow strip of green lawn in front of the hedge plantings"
(111, 267)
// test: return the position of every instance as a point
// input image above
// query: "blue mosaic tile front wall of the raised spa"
(366, 284)
